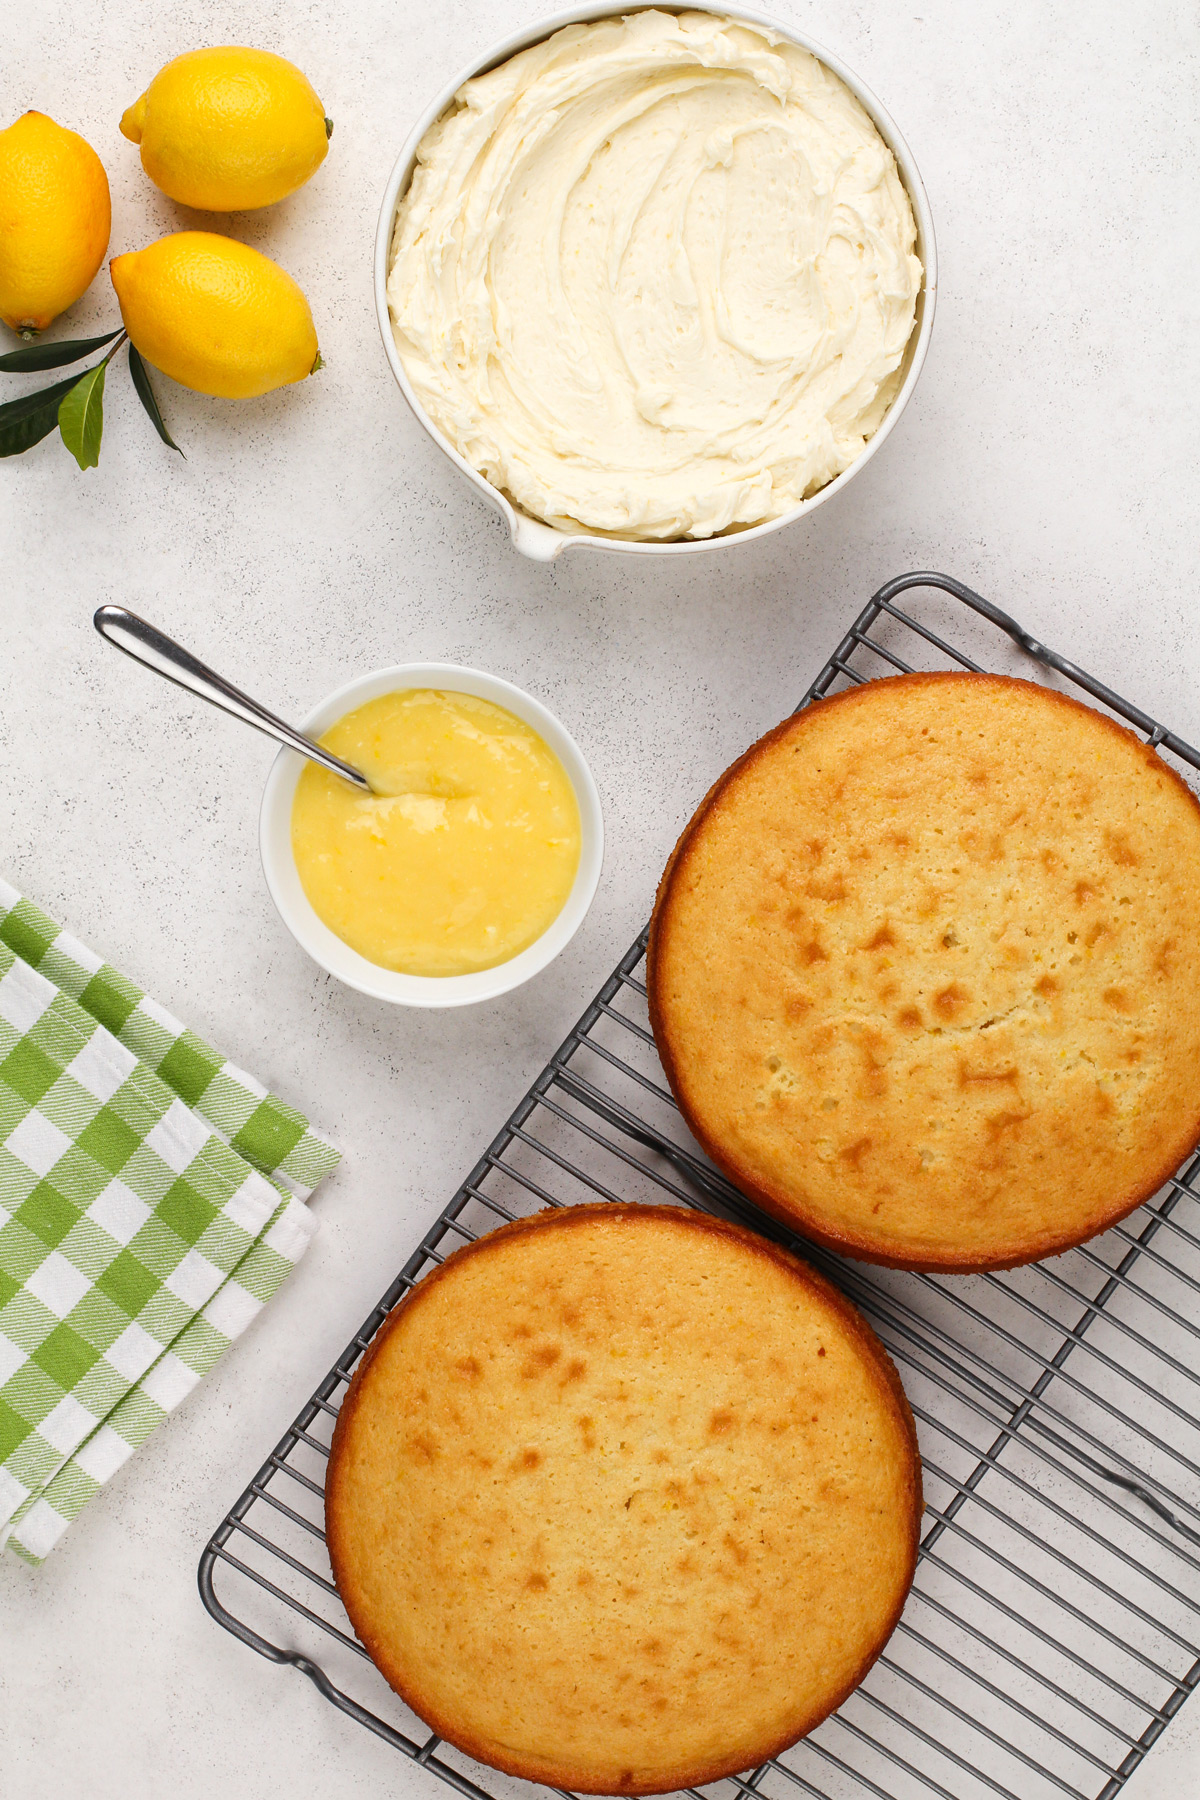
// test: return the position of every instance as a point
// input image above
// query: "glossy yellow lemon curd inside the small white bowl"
(461, 858)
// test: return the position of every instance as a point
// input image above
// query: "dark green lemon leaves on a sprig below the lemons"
(75, 406)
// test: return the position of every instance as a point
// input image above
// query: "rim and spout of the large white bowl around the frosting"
(533, 537)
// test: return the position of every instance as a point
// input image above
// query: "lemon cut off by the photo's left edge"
(55, 220)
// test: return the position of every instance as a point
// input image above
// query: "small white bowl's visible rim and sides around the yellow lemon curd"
(337, 957)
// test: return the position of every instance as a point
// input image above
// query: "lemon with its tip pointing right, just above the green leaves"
(215, 316)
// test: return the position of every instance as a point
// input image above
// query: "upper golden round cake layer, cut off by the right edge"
(926, 978)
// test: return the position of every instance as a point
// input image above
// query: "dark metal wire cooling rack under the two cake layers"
(1055, 1623)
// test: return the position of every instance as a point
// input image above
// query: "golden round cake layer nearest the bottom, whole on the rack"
(623, 1500)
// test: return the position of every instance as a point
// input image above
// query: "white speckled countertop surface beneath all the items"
(1050, 458)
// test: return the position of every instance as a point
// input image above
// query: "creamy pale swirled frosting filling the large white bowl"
(656, 276)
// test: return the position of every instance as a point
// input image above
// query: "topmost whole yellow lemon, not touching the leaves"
(229, 129)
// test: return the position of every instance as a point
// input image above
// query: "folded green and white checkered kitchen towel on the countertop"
(152, 1201)
